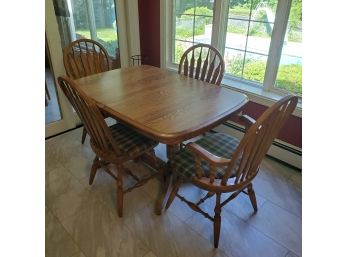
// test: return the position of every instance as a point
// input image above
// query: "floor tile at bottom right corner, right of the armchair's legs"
(279, 225)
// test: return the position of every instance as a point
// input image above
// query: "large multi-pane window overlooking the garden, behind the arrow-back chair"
(259, 39)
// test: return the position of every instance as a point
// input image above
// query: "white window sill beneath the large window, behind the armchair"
(257, 94)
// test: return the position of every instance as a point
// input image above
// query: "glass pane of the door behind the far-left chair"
(92, 19)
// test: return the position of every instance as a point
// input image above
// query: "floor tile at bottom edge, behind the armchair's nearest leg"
(237, 238)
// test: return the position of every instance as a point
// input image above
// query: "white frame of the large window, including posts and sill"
(265, 94)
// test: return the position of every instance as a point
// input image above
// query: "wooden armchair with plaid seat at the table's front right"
(220, 163)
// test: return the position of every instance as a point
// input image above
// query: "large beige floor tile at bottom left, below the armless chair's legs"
(99, 233)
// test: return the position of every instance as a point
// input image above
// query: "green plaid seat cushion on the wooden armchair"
(219, 144)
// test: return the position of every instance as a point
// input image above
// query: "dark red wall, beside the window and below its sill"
(149, 25)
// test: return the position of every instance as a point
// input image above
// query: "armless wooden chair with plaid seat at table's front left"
(116, 144)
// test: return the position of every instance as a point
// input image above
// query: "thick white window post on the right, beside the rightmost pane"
(275, 49)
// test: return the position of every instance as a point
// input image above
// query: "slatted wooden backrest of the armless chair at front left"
(91, 117)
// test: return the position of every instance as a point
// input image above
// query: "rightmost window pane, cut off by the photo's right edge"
(289, 75)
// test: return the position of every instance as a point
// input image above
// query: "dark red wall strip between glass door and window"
(149, 26)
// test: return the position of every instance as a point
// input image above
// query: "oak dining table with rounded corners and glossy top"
(161, 104)
